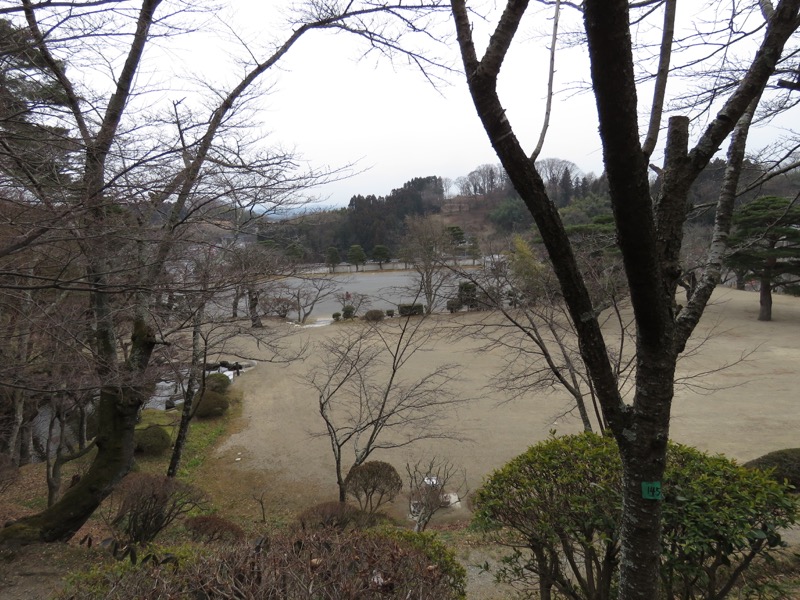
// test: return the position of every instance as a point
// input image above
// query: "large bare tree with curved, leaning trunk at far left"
(140, 180)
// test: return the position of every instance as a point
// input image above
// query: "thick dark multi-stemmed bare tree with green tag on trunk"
(649, 230)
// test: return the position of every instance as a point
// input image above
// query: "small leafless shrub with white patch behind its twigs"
(434, 483)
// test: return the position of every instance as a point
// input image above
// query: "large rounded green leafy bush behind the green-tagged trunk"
(563, 497)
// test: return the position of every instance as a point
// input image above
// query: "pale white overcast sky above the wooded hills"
(335, 109)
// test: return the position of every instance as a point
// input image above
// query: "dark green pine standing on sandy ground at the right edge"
(766, 246)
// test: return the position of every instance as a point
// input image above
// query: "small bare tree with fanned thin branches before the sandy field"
(368, 403)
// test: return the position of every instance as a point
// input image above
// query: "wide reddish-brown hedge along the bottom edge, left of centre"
(330, 563)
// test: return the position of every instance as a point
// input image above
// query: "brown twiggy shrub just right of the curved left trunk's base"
(143, 505)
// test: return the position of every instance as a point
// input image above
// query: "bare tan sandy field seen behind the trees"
(743, 411)
